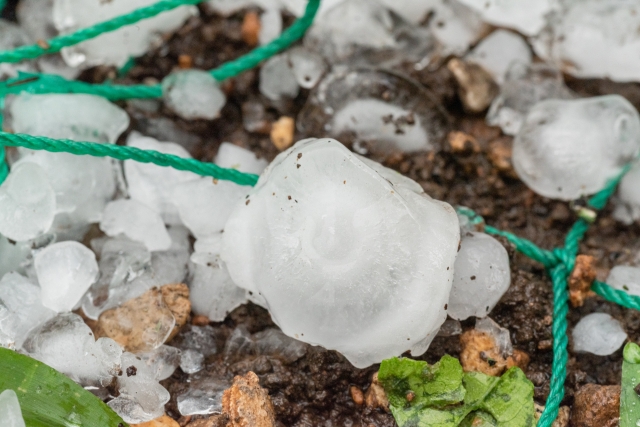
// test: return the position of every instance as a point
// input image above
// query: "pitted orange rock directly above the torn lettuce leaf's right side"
(480, 354)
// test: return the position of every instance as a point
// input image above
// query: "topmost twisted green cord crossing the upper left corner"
(57, 43)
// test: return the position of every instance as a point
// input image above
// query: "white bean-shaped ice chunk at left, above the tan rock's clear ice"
(136, 221)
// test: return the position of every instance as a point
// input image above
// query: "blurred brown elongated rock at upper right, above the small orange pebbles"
(476, 88)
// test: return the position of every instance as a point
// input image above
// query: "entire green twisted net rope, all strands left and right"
(559, 262)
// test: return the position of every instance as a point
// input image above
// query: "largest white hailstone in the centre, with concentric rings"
(347, 254)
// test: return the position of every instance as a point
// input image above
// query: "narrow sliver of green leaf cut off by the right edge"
(629, 399)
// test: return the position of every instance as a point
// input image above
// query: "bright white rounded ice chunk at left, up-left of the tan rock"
(65, 271)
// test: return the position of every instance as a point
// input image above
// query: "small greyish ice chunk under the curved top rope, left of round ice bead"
(277, 80)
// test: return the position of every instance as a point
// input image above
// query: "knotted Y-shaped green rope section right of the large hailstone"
(559, 263)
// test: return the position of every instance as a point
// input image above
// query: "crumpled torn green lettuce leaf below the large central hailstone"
(442, 395)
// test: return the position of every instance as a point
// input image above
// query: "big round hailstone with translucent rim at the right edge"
(567, 149)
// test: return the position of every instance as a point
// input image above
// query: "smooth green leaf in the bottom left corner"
(51, 399)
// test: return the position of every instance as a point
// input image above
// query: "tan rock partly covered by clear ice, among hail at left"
(143, 323)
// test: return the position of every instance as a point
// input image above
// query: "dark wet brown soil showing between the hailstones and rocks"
(314, 390)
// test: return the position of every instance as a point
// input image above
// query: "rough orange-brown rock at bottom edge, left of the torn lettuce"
(247, 404)
